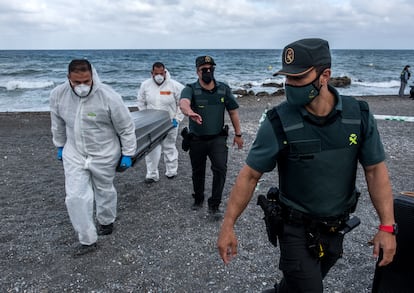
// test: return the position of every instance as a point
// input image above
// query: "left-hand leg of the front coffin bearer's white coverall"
(79, 200)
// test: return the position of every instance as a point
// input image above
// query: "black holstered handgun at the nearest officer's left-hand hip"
(272, 214)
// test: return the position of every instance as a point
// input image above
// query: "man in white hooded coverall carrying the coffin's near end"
(92, 129)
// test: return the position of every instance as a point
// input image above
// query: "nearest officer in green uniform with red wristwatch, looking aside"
(316, 139)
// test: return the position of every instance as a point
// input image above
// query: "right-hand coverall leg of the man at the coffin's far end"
(170, 153)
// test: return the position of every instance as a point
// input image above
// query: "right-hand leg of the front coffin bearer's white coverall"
(103, 174)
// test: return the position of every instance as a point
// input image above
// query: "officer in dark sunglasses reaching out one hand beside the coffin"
(205, 102)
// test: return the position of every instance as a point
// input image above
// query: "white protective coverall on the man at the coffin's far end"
(162, 97)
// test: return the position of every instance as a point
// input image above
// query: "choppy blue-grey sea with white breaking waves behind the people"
(28, 76)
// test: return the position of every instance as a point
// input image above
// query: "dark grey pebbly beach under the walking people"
(159, 244)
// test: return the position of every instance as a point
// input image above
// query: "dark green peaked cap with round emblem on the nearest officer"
(302, 56)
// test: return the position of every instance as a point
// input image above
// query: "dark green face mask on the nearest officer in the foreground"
(301, 95)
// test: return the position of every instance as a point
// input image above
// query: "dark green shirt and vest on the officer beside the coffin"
(210, 105)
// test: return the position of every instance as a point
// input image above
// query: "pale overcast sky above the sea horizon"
(204, 24)
